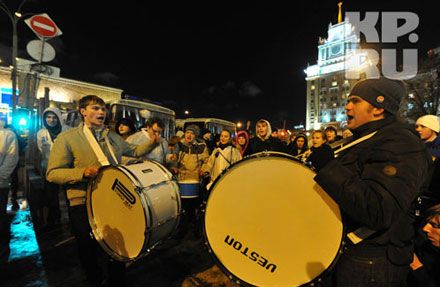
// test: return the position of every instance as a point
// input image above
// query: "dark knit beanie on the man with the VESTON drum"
(382, 93)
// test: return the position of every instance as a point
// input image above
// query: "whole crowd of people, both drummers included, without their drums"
(381, 172)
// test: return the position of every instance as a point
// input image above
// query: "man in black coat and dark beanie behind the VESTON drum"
(375, 179)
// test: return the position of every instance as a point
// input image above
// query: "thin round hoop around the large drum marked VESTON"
(225, 270)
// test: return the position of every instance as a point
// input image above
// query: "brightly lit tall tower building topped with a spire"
(327, 86)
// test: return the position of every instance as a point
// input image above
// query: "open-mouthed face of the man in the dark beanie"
(359, 112)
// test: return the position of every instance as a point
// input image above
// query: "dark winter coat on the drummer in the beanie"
(375, 183)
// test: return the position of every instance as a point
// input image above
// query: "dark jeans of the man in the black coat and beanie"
(377, 271)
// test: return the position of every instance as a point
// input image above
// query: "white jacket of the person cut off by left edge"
(8, 156)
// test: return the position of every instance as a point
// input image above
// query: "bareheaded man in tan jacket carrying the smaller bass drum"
(76, 157)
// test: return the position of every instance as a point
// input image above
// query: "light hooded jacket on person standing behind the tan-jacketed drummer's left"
(46, 136)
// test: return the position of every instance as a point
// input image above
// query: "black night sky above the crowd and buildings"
(220, 59)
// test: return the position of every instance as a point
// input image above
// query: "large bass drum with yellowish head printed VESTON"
(267, 223)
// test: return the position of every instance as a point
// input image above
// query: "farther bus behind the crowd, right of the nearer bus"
(213, 124)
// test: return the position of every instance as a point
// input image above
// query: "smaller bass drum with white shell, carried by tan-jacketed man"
(133, 208)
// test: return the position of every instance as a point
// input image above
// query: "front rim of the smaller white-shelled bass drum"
(91, 220)
